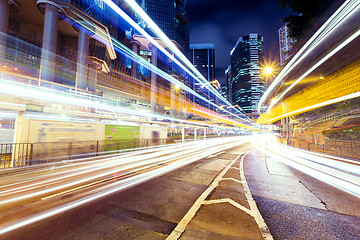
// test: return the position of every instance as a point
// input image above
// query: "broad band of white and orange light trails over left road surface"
(142, 168)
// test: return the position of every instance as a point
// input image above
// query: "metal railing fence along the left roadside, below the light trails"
(26, 154)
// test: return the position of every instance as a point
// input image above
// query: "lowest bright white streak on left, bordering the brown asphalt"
(126, 183)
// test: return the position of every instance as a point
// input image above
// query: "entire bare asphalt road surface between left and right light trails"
(209, 199)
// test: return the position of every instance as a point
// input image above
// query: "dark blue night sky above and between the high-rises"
(222, 22)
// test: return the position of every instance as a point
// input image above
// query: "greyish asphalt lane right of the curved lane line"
(297, 206)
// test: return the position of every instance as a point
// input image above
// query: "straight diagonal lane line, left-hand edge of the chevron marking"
(180, 228)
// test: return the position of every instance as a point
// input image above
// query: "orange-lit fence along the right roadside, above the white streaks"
(339, 148)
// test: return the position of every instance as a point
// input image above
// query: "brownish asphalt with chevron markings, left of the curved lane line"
(158, 208)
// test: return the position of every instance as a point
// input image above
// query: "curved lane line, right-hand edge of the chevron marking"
(265, 232)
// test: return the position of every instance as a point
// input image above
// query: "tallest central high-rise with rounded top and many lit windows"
(246, 83)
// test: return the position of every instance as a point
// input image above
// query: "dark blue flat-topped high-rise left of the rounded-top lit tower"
(203, 58)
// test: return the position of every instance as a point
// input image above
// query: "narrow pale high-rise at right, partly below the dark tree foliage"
(285, 43)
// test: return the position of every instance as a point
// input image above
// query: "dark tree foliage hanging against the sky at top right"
(307, 13)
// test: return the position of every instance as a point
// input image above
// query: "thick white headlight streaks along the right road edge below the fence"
(343, 175)
